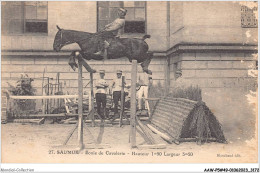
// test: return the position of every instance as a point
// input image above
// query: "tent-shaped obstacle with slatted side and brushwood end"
(181, 120)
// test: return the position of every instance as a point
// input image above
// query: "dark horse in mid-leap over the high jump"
(132, 48)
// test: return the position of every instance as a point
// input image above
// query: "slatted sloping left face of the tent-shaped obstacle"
(168, 117)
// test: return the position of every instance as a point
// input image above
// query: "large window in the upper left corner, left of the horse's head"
(24, 17)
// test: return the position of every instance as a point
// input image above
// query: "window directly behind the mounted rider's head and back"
(135, 17)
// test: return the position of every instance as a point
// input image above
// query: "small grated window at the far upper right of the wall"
(248, 17)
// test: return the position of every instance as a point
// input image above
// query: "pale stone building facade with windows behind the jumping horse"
(214, 44)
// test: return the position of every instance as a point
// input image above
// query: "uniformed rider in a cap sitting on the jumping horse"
(114, 29)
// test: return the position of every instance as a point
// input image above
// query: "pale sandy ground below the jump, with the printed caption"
(36, 144)
